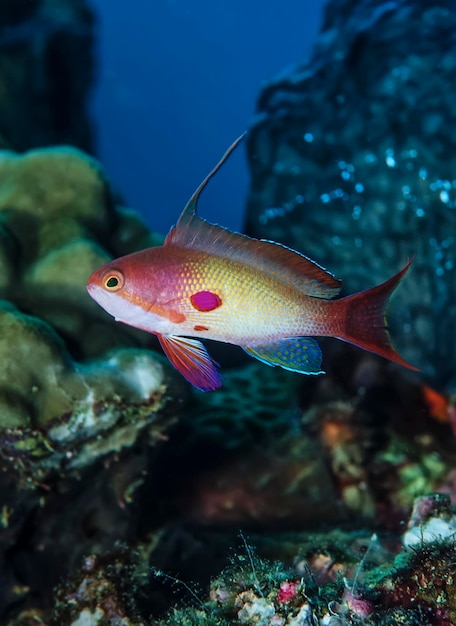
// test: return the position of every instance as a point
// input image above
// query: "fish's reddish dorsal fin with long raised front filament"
(285, 264)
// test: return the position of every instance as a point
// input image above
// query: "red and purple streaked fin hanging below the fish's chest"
(192, 360)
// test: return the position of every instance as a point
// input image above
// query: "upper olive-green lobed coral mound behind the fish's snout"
(58, 222)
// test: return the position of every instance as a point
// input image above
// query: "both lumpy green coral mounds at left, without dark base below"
(59, 222)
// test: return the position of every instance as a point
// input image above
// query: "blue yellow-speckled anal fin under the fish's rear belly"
(297, 354)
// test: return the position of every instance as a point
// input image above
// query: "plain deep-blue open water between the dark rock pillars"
(177, 83)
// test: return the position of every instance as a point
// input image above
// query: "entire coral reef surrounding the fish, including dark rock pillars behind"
(122, 491)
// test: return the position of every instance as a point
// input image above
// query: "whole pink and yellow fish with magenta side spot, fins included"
(210, 283)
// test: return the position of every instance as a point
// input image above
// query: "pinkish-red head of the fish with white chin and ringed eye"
(130, 289)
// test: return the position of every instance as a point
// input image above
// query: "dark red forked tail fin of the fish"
(363, 321)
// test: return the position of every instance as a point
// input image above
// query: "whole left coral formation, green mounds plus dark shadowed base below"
(79, 423)
